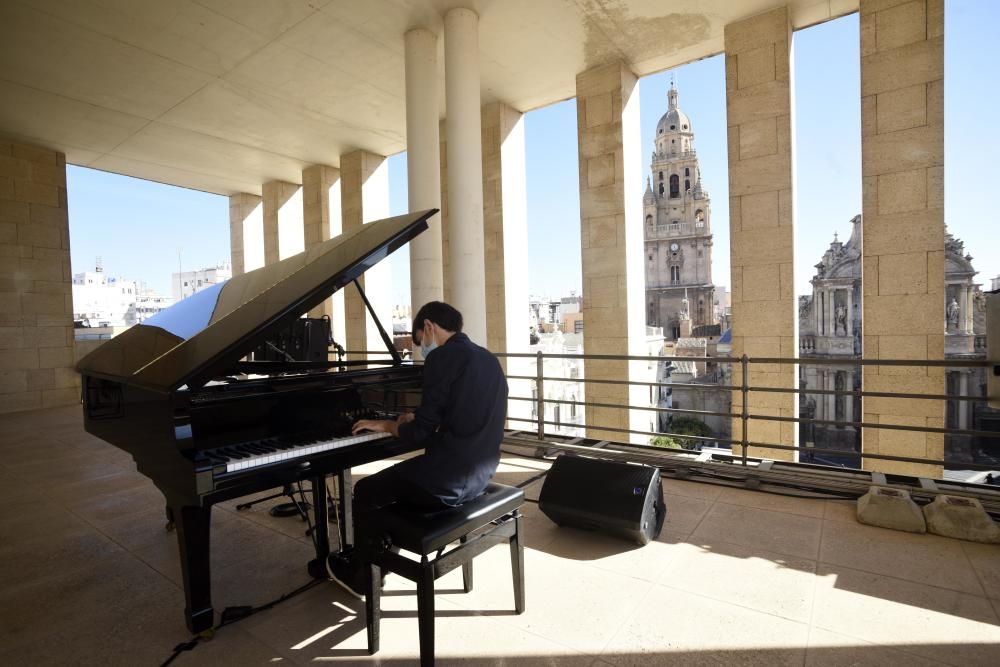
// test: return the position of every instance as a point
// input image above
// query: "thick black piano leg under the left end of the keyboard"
(193, 538)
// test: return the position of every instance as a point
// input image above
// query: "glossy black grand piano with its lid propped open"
(206, 425)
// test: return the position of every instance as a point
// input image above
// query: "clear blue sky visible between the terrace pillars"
(138, 227)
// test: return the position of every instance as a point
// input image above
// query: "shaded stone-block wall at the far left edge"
(36, 296)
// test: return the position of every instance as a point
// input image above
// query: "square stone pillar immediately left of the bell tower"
(611, 235)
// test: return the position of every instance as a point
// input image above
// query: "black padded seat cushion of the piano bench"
(425, 532)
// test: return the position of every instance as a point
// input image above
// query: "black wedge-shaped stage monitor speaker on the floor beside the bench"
(613, 497)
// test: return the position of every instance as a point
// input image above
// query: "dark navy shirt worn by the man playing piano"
(459, 422)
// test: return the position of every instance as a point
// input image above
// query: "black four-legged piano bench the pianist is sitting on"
(492, 518)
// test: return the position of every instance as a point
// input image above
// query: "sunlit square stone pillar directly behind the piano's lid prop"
(364, 186)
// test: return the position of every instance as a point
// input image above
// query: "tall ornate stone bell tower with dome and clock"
(678, 231)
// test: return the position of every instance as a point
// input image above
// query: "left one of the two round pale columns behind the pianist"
(423, 165)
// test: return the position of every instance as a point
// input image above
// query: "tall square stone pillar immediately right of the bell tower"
(758, 107)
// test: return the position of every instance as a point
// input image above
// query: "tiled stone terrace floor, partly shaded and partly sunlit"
(738, 577)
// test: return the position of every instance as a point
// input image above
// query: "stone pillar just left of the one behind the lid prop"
(321, 221)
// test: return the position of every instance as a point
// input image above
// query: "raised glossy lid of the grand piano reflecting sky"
(203, 336)
